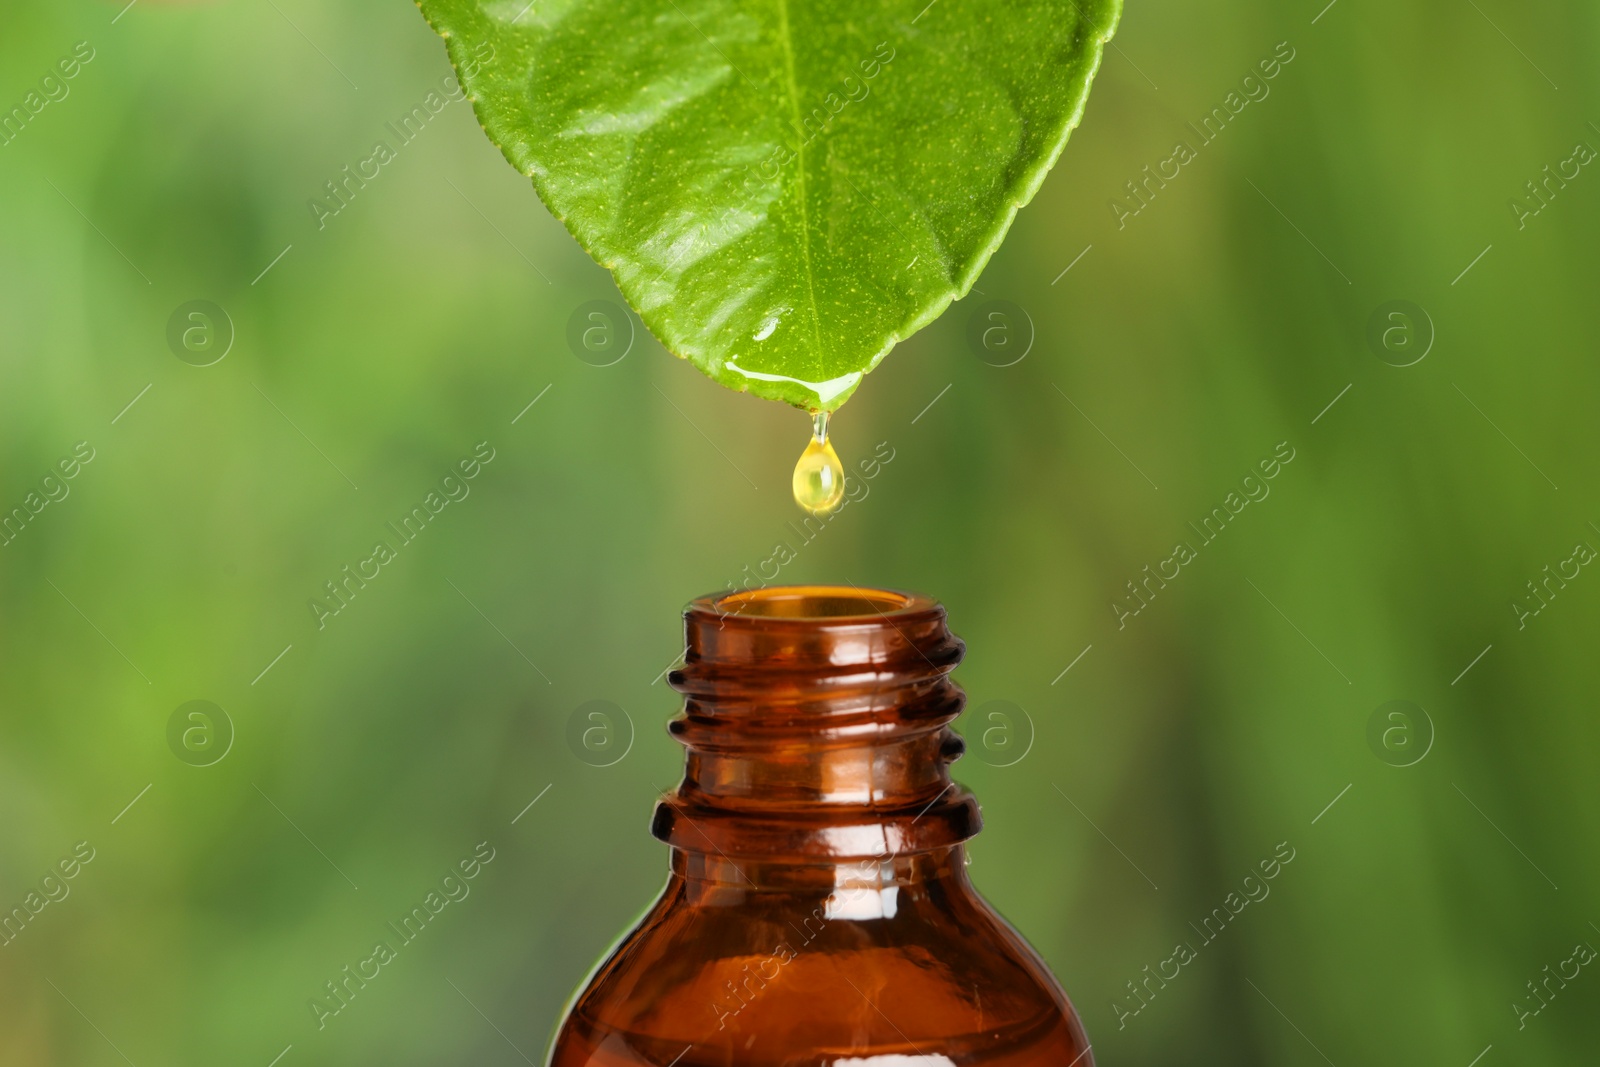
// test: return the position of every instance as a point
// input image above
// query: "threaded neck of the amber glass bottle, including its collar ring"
(817, 733)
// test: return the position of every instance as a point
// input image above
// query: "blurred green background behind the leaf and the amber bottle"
(1185, 345)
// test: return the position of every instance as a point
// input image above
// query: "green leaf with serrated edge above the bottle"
(785, 190)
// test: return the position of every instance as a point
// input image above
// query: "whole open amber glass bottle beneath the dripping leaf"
(818, 911)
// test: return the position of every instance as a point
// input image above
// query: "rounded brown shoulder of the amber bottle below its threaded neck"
(898, 970)
